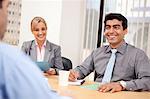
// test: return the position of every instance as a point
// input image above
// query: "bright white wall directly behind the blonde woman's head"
(50, 10)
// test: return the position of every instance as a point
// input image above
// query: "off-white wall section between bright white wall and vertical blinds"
(71, 29)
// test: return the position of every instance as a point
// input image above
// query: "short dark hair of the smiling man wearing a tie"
(117, 16)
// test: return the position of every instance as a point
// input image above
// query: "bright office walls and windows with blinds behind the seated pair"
(75, 25)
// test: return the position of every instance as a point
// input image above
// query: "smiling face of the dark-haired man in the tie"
(114, 32)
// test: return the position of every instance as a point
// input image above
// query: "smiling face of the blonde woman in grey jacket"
(39, 31)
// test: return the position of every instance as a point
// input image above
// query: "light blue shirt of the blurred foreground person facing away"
(20, 78)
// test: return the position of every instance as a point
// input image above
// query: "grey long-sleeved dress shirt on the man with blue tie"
(132, 66)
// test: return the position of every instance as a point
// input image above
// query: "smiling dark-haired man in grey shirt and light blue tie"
(119, 65)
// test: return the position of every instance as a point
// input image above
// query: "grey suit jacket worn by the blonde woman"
(52, 53)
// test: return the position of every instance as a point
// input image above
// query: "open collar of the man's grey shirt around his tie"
(121, 49)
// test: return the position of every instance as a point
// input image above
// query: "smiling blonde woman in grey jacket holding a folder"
(40, 49)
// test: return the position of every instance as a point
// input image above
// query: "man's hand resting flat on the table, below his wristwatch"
(111, 87)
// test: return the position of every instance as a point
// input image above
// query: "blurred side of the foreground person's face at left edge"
(3, 17)
